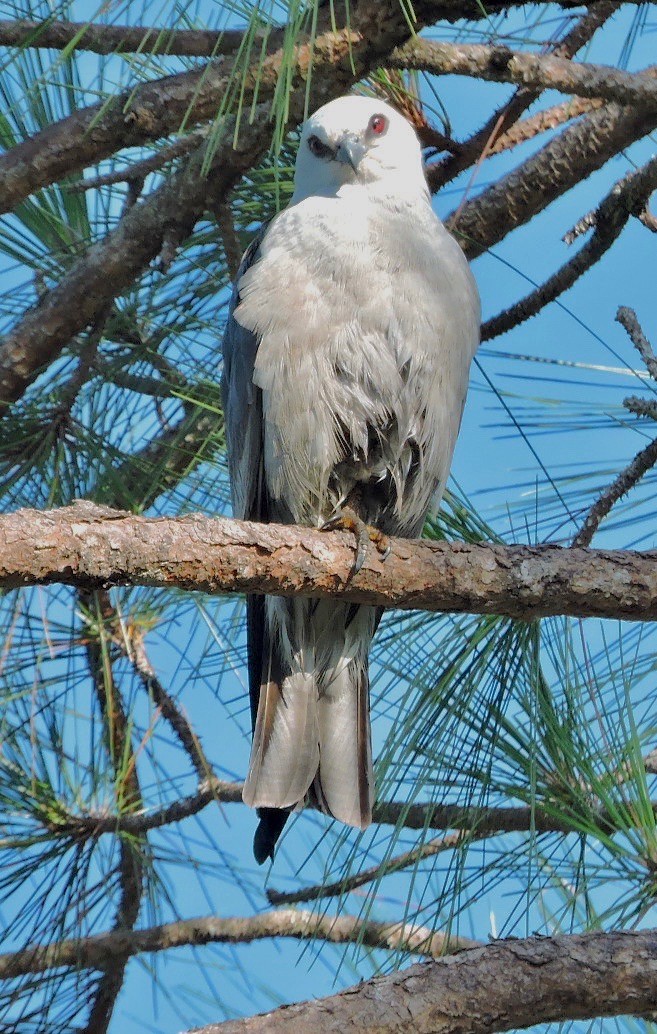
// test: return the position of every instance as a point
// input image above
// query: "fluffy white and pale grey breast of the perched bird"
(367, 311)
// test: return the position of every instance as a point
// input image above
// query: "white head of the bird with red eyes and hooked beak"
(359, 141)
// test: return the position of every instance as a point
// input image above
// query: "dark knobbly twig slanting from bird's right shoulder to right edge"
(626, 199)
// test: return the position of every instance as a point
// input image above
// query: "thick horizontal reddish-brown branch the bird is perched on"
(93, 548)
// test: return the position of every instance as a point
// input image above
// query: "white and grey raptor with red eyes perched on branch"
(351, 329)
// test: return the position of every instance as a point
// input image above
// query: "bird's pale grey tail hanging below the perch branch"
(312, 731)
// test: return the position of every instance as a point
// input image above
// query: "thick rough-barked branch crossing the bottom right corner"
(491, 989)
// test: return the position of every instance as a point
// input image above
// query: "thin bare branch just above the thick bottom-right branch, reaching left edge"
(94, 953)
